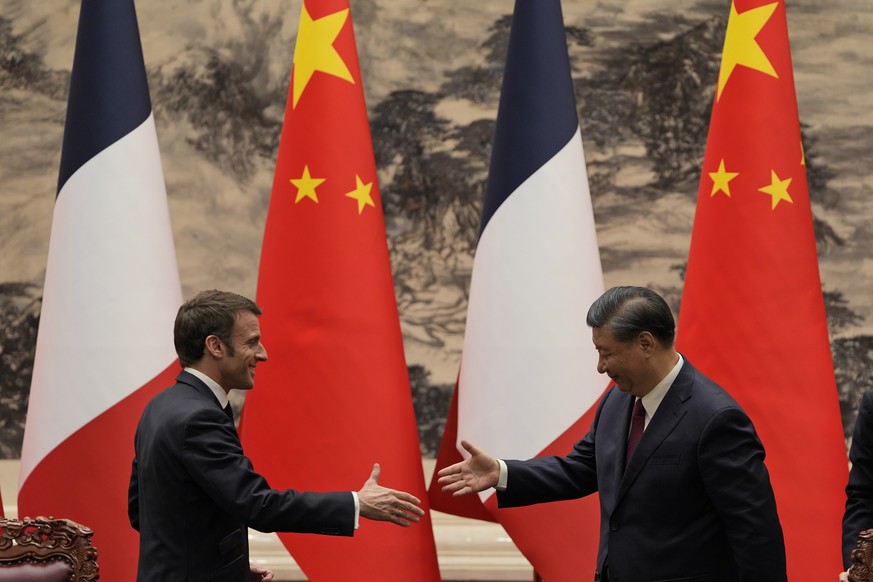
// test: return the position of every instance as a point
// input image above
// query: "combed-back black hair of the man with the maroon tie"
(629, 311)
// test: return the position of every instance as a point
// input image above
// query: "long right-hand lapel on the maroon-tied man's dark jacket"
(666, 419)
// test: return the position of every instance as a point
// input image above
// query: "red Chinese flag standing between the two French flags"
(335, 397)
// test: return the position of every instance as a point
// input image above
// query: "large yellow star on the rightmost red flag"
(740, 46)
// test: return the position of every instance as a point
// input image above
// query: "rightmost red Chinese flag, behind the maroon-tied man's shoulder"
(752, 314)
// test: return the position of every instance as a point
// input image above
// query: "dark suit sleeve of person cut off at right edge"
(859, 491)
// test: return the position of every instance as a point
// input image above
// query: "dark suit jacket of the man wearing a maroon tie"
(695, 503)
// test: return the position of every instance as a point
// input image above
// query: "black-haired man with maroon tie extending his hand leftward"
(692, 501)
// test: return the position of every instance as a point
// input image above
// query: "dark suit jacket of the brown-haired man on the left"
(193, 492)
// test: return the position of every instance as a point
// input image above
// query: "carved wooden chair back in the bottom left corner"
(46, 550)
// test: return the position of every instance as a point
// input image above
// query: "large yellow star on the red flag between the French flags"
(314, 50)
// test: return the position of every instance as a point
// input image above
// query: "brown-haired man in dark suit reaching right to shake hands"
(193, 492)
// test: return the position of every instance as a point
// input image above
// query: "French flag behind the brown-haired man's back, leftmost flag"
(105, 342)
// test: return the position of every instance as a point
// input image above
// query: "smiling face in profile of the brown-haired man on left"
(236, 366)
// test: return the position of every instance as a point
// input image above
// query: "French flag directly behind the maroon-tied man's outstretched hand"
(528, 382)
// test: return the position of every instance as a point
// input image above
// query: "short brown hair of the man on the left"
(209, 313)
